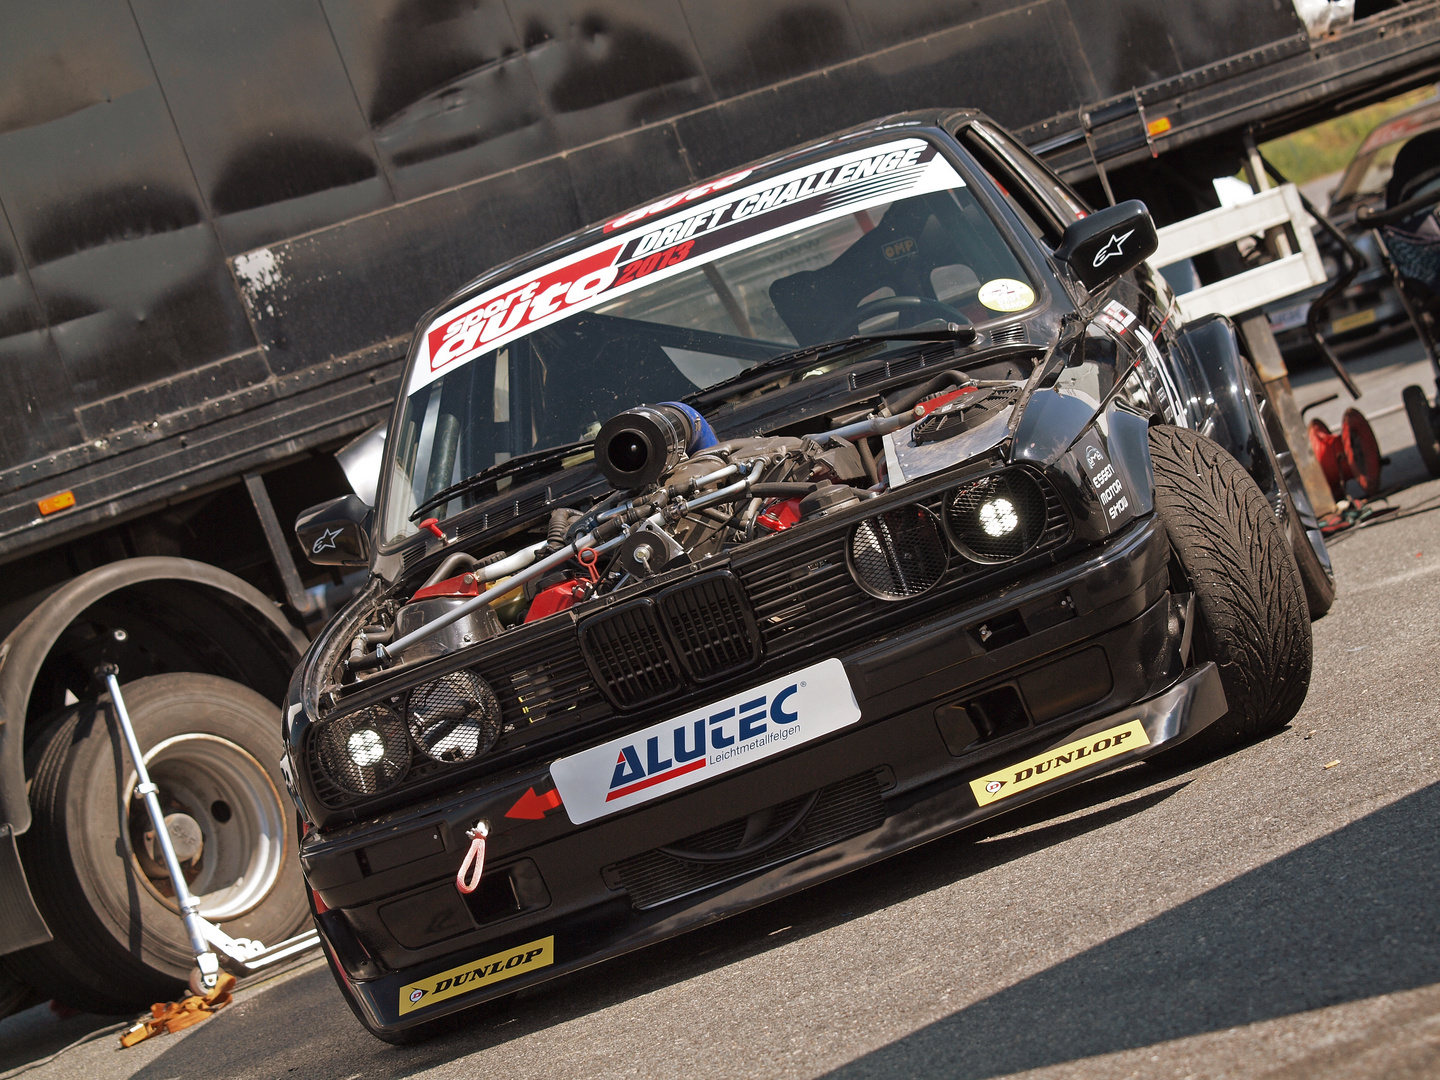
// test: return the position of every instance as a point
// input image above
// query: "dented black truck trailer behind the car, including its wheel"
(218, 227)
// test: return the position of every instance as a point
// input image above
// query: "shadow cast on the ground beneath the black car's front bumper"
(306, 1027)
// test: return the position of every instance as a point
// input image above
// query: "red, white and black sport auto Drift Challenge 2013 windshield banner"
(695, 235)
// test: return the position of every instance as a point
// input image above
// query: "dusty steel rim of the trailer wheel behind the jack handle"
(246, 840)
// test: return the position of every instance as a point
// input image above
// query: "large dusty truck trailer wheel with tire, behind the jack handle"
(212, 748)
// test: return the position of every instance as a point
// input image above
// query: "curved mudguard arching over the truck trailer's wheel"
(27, 647)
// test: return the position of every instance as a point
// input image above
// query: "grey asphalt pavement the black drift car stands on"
(1271, 914)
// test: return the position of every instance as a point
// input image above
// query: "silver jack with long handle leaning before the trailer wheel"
(243, 955)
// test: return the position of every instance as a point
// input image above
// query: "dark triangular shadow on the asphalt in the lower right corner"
(1344, 918)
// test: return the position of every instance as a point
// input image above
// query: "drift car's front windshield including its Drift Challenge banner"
(881, 238)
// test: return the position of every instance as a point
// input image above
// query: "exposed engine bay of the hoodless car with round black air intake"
(682, 496)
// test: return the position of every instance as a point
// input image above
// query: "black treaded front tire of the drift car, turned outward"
(1252, 613)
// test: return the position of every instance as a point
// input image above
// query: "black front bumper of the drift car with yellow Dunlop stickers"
(407, 950)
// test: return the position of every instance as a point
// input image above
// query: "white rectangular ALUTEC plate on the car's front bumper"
(709, 742)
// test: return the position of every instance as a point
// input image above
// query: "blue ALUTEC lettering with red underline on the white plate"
(688, 744)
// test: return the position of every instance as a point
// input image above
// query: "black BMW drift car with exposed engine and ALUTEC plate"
(768, 531)
